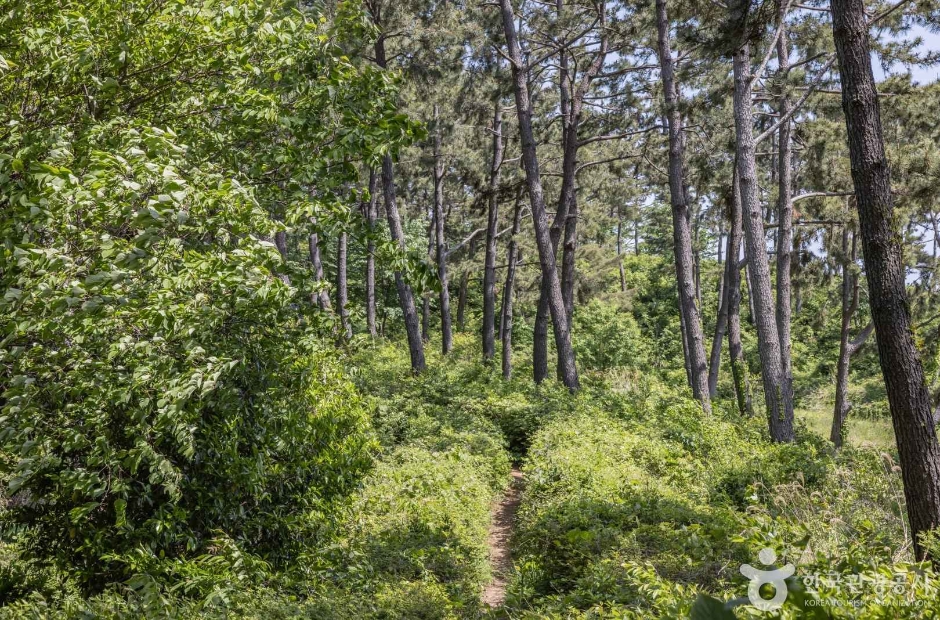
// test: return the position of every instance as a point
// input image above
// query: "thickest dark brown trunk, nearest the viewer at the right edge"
(903, 372)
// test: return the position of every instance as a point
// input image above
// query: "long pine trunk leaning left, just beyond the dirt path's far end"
(539, 217)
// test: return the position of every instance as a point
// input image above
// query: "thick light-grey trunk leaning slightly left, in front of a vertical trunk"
(779, 408)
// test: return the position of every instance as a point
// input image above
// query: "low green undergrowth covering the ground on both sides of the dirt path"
(635, 502)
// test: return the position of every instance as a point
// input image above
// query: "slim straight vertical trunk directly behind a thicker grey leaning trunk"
(784, 217)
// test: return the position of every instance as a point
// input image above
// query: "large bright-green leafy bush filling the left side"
(162, 383)
